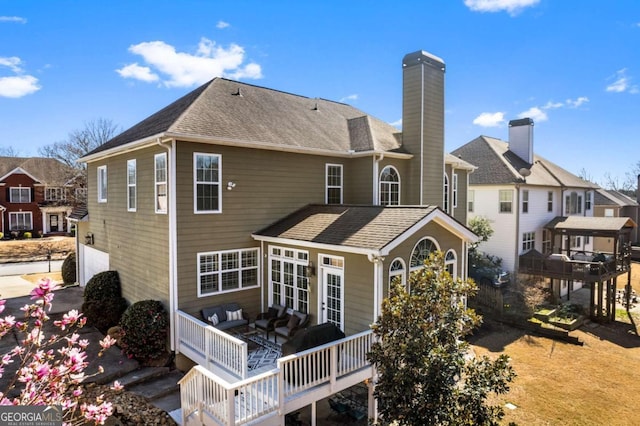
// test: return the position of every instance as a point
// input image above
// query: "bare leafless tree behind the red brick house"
(80, 142)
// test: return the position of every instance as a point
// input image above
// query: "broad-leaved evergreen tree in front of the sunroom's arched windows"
(425, 372)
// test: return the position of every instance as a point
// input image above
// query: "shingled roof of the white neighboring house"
(499, 165)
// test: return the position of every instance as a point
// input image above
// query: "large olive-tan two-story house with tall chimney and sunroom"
(239, 193)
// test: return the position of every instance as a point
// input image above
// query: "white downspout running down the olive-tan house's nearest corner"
(173, 278)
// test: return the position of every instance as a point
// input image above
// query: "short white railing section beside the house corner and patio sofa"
(210, 347)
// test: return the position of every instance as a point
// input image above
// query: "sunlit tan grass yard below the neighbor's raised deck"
(564, 384)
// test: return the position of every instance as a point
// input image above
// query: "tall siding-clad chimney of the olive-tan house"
(423, 125)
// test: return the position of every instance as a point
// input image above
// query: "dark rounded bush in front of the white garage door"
(103, 302)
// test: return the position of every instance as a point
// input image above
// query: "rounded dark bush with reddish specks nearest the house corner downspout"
(145, 325)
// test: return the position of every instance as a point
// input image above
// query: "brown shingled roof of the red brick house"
(47, 171)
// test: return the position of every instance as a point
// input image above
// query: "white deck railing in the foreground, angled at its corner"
(209, 399)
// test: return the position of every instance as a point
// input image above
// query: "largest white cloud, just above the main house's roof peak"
(181, 69)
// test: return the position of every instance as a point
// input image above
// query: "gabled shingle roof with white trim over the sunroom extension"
(358, 227)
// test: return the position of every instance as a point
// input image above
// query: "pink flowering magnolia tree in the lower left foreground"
(50, 369)
